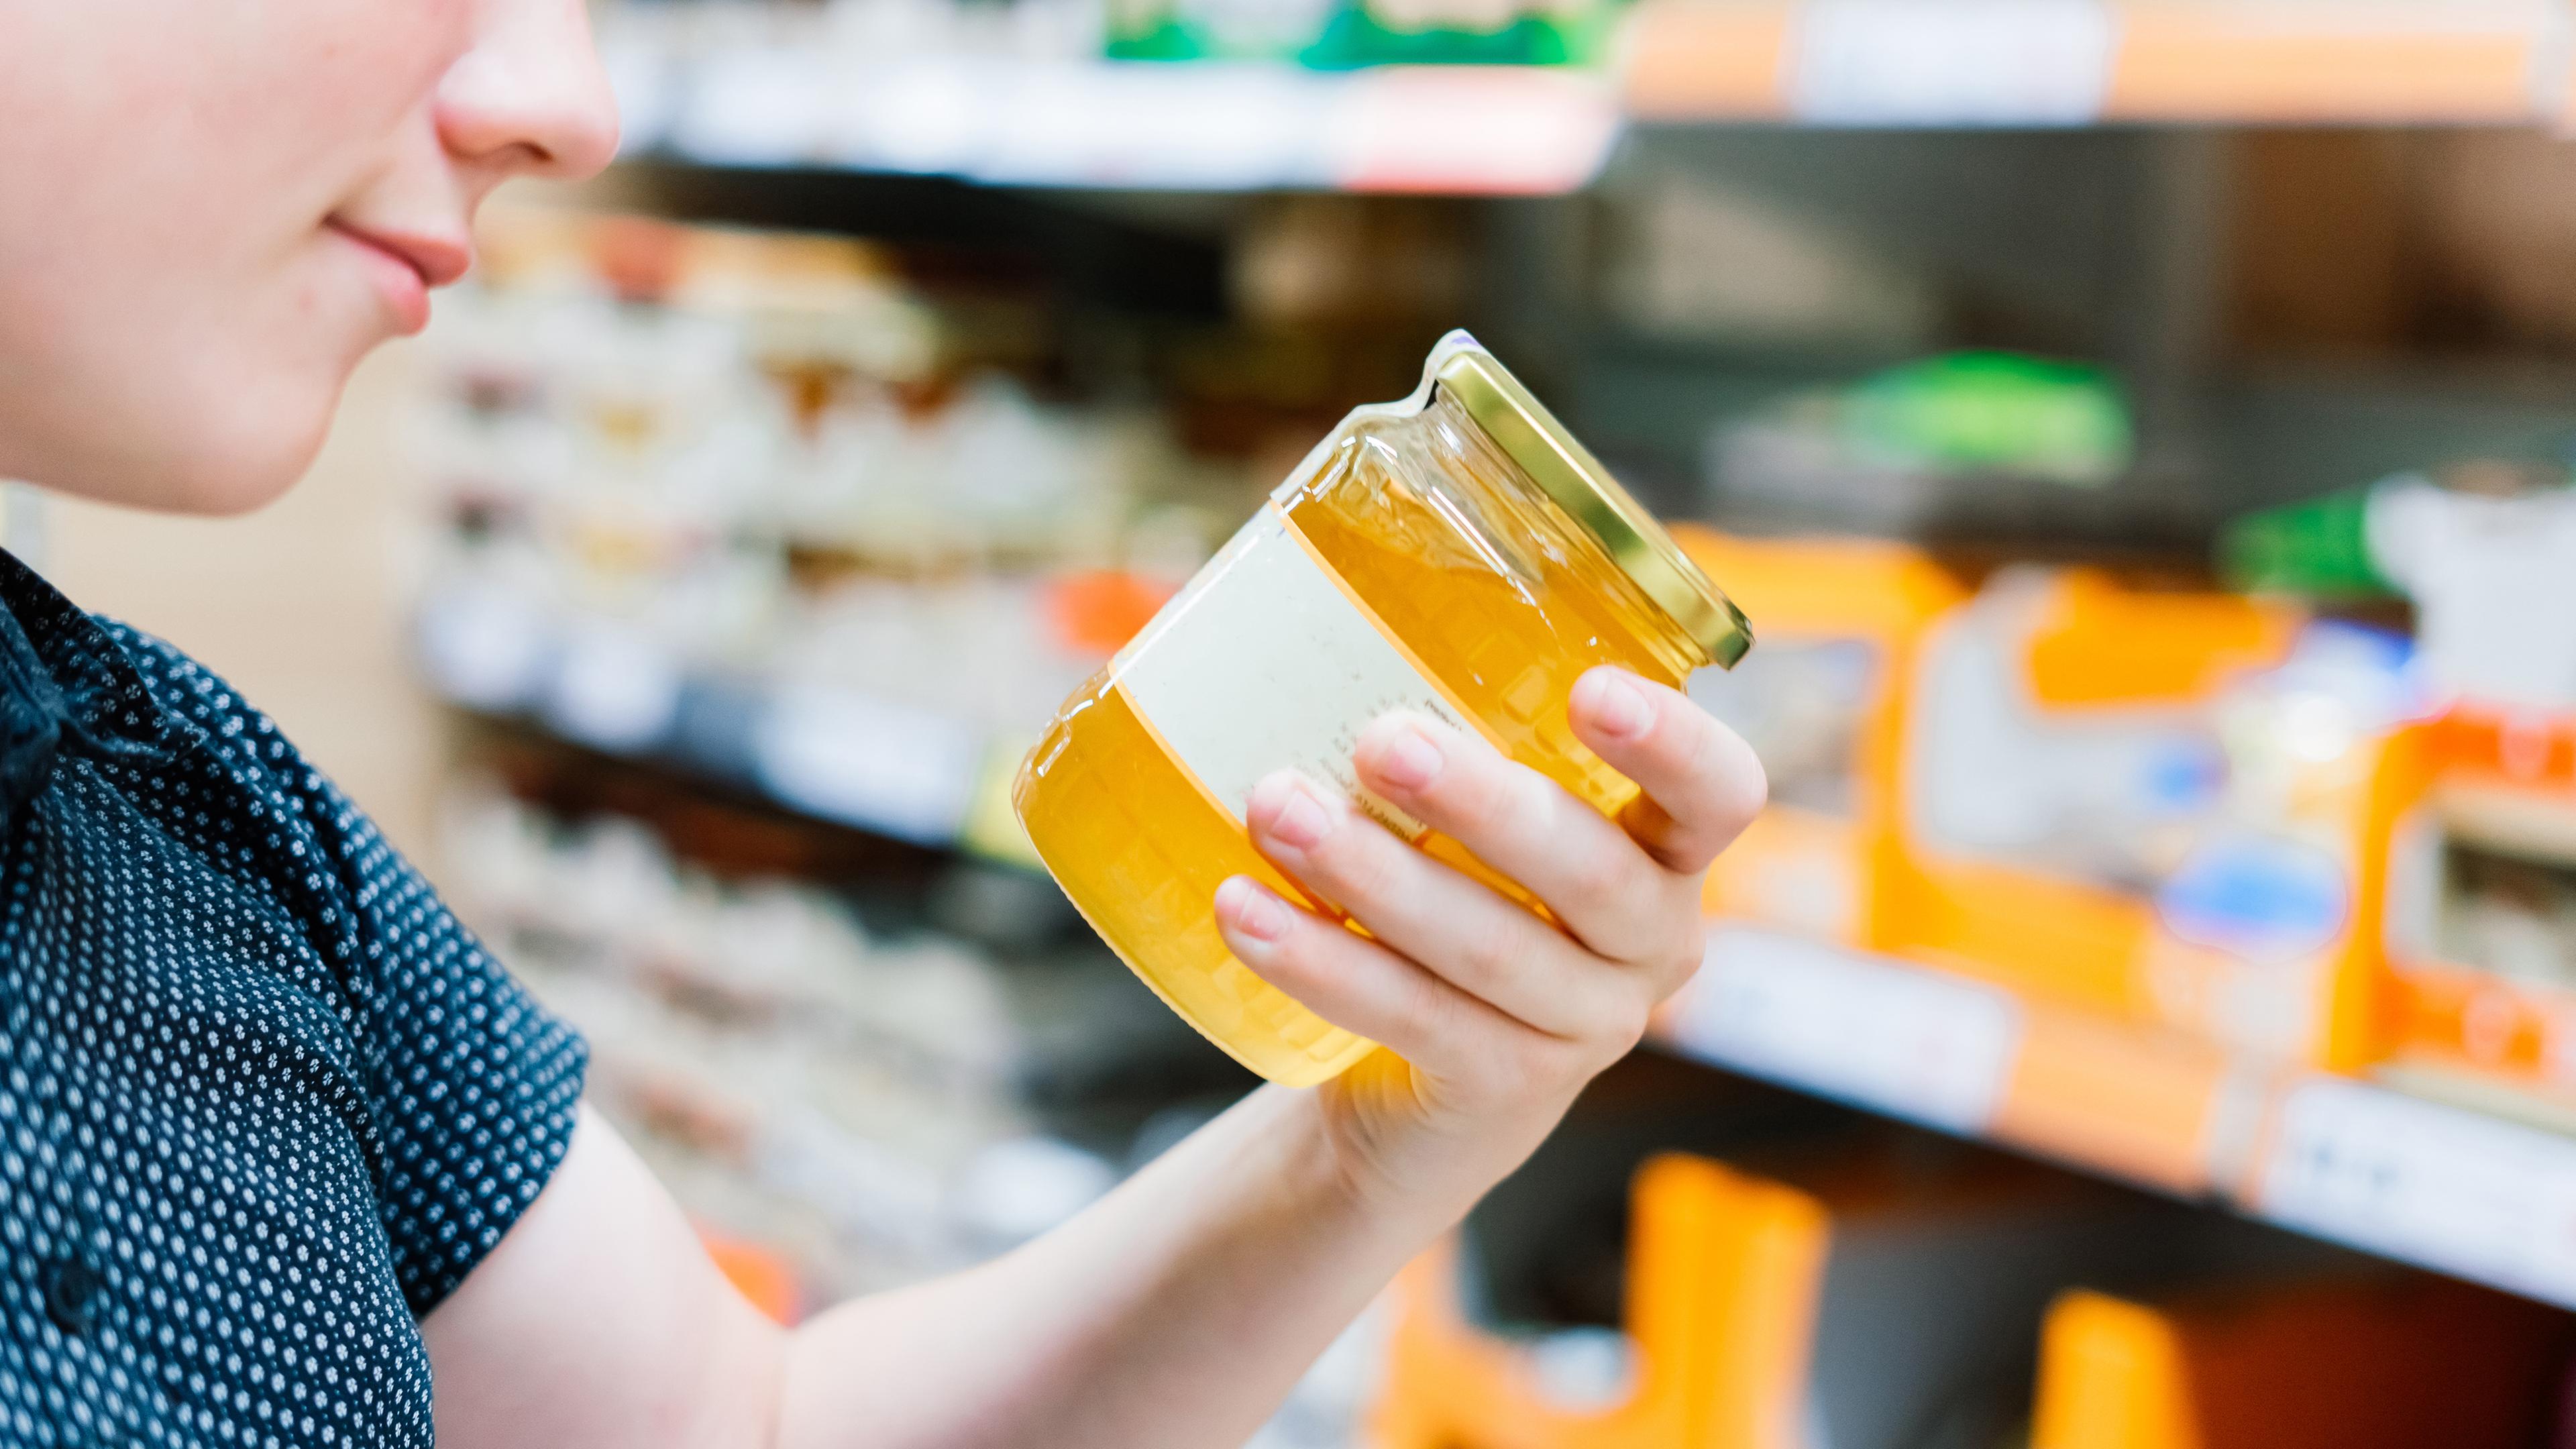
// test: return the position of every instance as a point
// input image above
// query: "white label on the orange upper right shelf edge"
(1995, 63)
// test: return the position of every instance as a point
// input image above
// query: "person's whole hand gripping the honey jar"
(1493, 1017)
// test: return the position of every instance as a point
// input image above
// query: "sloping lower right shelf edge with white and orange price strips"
(2348, 1162)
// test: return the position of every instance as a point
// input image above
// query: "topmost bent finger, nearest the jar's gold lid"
(1701, 780)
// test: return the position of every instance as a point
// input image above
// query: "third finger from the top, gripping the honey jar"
(1462, 932)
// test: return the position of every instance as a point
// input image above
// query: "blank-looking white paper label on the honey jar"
(1264, 664)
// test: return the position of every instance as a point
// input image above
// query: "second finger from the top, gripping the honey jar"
(1598, 883)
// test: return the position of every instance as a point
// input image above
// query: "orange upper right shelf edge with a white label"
(2072, 63)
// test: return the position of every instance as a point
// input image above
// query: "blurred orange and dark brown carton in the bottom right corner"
(2376, 1363)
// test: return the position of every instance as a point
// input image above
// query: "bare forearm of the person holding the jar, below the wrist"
(1173, 1314)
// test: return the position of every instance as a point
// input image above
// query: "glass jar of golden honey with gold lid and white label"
(1459, 556)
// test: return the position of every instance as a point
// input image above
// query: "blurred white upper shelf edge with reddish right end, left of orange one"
(1137, 125)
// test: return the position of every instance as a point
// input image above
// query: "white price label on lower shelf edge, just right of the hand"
(1884, 1035)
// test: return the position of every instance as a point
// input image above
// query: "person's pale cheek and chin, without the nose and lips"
(174, 318)
